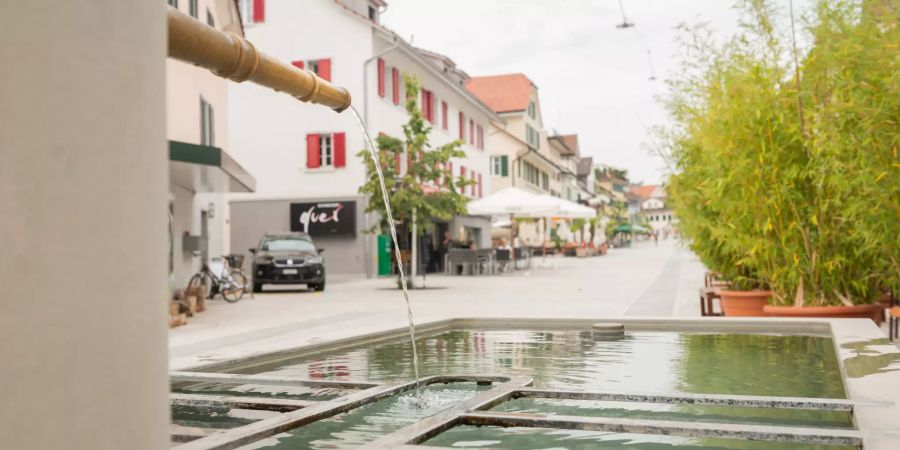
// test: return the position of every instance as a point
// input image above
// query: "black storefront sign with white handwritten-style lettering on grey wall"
(324, 218)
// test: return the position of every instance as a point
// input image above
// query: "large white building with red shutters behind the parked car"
(306, 155)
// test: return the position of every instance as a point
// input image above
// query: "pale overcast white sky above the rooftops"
(593, 78)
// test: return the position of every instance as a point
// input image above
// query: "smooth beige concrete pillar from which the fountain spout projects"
(83, 182)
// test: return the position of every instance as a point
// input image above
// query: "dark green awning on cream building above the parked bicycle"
(201, 168)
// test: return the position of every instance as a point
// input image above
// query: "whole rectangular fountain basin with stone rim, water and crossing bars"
(670, 373)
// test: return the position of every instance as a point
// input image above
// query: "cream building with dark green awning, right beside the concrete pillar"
(201, 166)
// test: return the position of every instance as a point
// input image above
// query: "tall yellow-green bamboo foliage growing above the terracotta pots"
(788, 173)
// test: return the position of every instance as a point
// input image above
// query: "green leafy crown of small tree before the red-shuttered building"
(427, 186)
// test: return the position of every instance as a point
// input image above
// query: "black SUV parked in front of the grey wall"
(288, 258)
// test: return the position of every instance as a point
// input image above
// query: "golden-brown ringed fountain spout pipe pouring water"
(231, 56)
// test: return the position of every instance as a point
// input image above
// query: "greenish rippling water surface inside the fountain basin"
(801, 366)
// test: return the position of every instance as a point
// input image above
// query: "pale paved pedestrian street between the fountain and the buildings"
(645, 280)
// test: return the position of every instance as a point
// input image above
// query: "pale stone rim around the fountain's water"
(868, 361)
